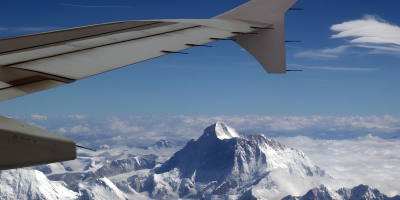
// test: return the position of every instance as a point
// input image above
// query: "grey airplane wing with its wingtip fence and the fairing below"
(41, 61)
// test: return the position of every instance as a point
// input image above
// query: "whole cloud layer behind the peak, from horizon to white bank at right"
(356, 149)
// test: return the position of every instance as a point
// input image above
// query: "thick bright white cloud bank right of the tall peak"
(366, 160)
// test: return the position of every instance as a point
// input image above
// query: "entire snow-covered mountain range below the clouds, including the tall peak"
(221, 164)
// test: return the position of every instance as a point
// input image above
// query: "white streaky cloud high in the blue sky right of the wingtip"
(370, 33)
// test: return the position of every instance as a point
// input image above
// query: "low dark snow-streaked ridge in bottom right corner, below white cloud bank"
(361, 192)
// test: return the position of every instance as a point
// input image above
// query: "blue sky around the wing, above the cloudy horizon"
(340, 77)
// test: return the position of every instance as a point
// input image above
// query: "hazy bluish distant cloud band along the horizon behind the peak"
(180, 129)
